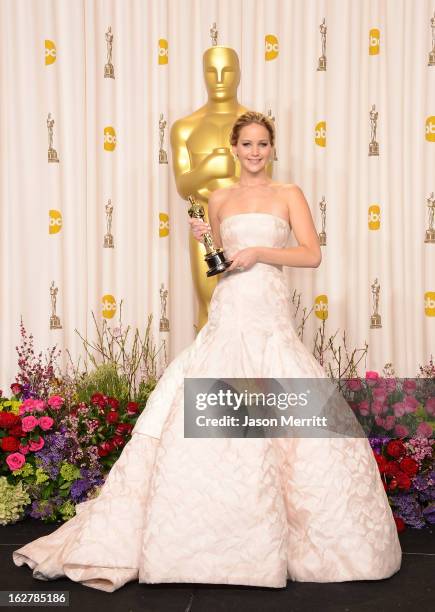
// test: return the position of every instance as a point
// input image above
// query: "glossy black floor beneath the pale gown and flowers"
(410, 590)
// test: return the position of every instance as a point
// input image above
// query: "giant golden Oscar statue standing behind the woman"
(201, 153)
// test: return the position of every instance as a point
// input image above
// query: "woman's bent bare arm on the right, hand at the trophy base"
(308, 253)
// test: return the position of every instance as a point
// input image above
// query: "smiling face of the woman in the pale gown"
(253, 148)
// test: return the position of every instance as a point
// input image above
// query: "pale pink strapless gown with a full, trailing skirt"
(241, 511)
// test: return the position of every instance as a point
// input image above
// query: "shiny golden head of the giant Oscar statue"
(221, 72)
